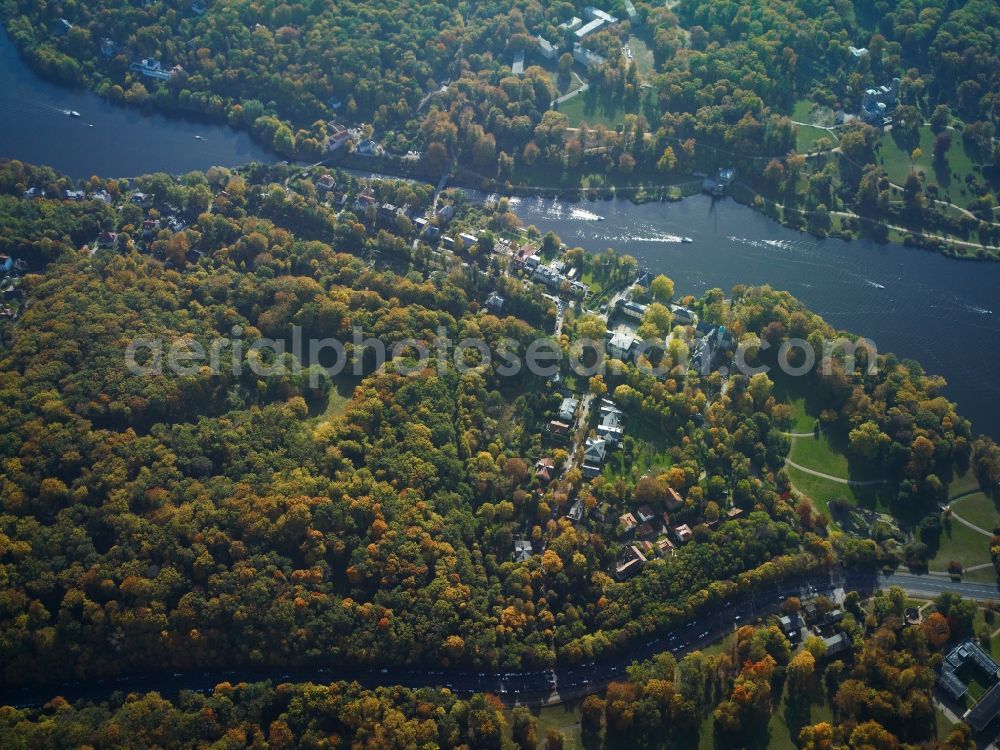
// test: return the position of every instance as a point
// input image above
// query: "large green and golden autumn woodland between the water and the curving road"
(218, 518)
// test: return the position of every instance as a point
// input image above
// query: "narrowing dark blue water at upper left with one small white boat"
(123, 141)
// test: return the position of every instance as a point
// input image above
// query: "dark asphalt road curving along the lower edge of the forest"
(525, 687)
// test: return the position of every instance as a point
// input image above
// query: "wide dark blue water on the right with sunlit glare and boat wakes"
(944, 313)
